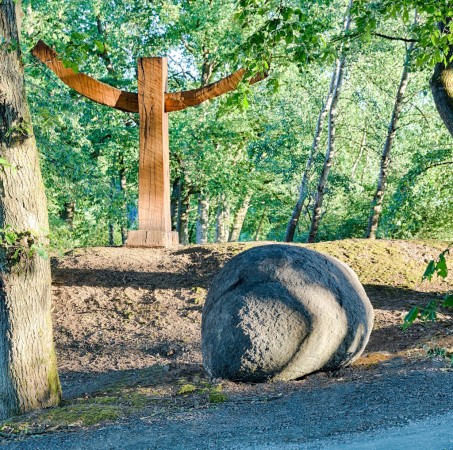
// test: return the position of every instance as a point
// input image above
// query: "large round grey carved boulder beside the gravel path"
(282, 312)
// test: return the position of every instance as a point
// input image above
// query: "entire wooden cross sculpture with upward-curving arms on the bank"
(153, 104)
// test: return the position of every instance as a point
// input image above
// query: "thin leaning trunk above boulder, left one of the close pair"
(303, 190)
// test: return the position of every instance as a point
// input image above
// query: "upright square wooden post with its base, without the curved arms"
(154, 169)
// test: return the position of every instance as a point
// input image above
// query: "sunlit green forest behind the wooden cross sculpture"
(240, 164)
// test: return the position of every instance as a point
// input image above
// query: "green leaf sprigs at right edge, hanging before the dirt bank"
(428, 313)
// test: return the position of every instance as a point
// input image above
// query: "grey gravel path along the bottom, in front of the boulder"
(392, 411)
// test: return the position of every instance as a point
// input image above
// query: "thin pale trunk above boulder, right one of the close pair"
(331, 149)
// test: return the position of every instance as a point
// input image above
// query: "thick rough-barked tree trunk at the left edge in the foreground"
(28, 369)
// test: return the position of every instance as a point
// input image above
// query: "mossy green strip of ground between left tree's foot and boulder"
(117, 402)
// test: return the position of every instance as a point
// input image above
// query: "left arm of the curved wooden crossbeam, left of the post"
(88, 87)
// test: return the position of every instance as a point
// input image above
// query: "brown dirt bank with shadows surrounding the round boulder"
(127, 330)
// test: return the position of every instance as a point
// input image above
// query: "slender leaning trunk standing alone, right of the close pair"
(376, 204)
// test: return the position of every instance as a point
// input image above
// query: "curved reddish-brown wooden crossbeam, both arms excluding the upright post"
(127, 101)
